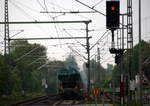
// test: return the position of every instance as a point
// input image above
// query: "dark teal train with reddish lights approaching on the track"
(70, 83)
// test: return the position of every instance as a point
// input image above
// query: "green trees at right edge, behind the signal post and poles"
(145, 61)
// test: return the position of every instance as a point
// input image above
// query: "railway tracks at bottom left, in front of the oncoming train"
(48, 101)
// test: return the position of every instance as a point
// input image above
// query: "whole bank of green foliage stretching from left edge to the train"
(20, 74)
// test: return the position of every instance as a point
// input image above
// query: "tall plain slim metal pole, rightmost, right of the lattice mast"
(140, 66)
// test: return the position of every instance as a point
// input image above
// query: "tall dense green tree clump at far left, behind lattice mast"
(17, 74)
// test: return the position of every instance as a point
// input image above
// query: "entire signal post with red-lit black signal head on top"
(113, 23)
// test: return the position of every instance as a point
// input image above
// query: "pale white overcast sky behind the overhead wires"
(29, 10)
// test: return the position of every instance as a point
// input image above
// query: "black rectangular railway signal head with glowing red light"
(112, 14)
